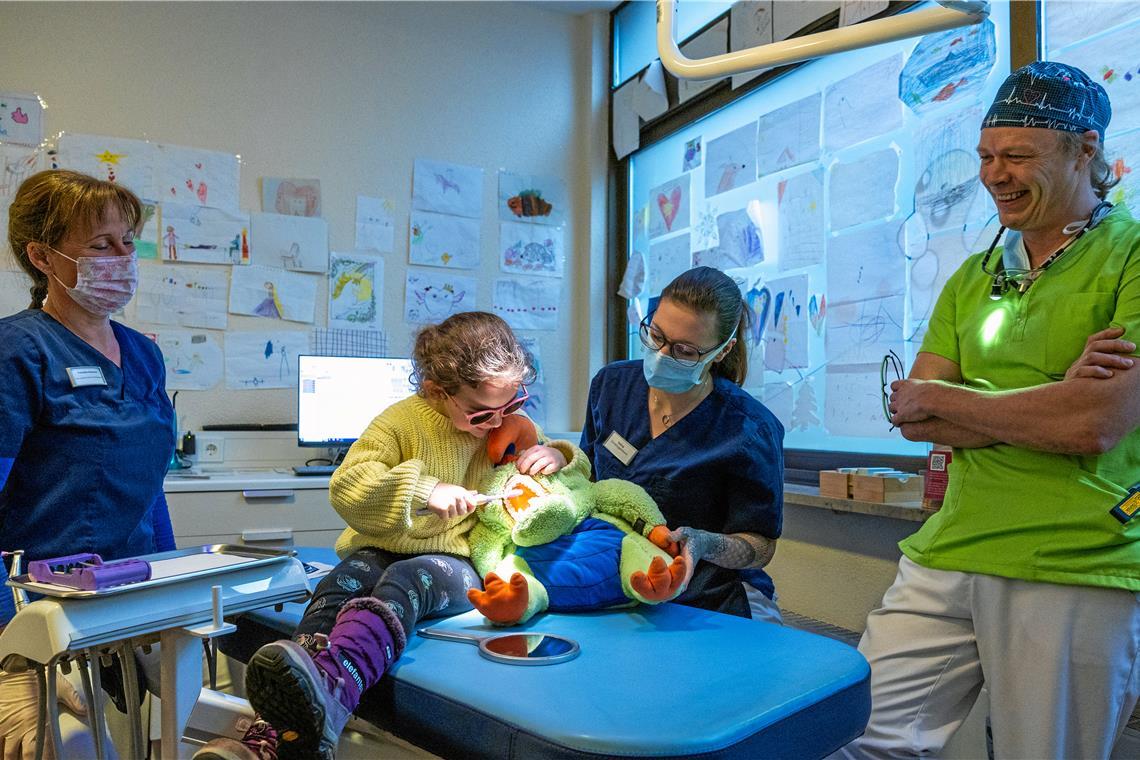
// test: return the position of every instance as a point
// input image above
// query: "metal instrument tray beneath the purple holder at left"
(227, 557)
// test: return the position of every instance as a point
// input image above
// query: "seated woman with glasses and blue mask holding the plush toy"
(679, 424)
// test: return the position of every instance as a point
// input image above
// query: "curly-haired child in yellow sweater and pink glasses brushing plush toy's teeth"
(408, 492)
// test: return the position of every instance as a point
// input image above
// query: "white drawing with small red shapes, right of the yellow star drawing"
(206, 178)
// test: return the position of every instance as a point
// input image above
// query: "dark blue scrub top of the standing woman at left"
(82, 468)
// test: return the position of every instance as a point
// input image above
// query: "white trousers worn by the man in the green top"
(1061, 664)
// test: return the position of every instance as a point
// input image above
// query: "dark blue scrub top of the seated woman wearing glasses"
(719, 469)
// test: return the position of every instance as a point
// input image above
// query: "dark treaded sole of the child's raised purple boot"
(282, 684)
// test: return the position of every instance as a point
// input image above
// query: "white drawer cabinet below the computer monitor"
(260, 508)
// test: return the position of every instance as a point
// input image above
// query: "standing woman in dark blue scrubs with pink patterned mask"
(86, 427)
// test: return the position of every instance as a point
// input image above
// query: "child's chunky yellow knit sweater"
(393, 469)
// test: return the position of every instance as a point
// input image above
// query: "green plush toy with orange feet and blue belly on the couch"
(564, 543)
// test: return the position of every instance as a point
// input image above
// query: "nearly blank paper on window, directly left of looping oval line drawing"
(865, 190)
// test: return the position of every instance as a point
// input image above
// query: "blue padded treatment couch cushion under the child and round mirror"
(653, 682)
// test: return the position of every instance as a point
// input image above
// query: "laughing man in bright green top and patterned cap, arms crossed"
(1025, 582)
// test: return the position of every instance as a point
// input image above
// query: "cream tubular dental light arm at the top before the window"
(950, 15)
